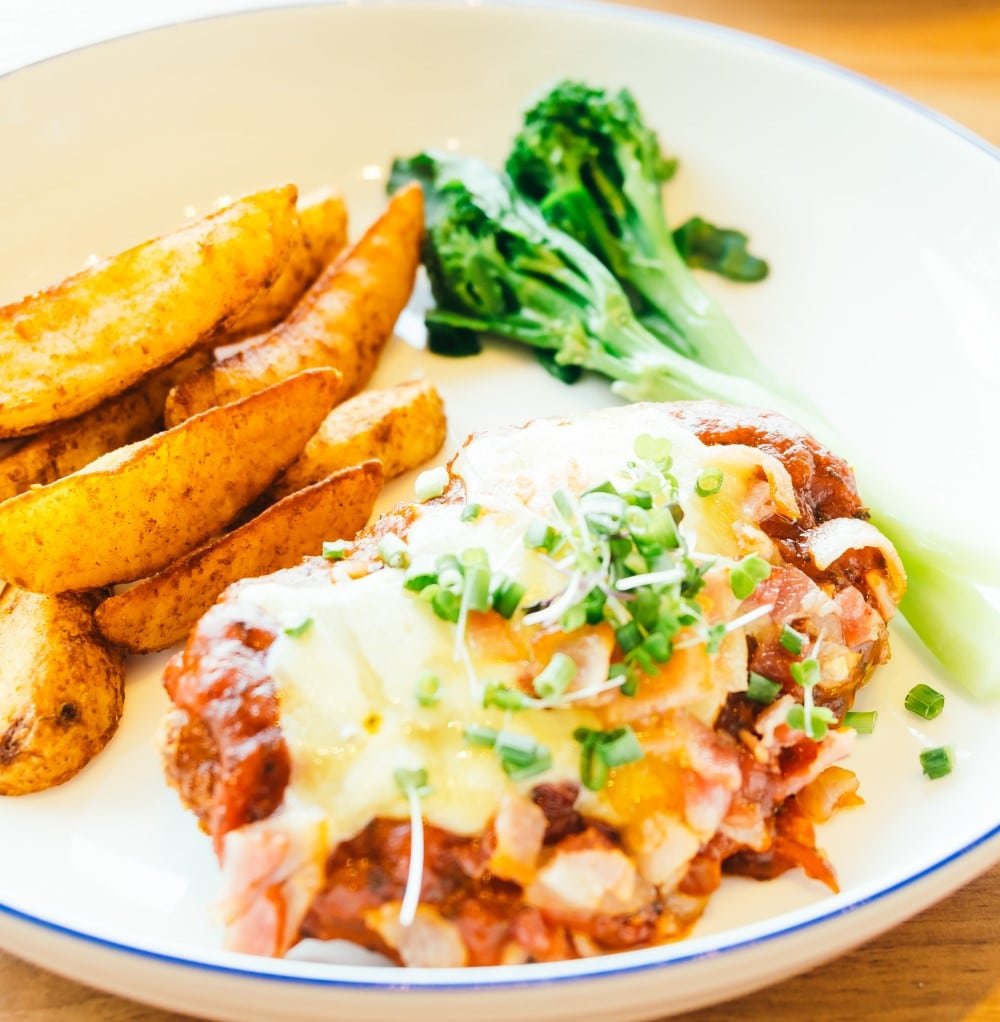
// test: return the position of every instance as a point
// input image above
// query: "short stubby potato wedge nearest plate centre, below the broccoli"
(402, 427)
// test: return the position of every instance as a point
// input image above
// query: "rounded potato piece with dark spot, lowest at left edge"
(62, 688)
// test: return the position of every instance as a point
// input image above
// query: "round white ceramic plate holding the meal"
(883, 226)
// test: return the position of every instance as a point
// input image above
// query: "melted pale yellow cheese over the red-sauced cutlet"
(347, 686)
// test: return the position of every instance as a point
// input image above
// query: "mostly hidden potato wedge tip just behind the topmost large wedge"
(324, 223)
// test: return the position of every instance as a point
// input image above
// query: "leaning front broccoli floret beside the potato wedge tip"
(496, 267)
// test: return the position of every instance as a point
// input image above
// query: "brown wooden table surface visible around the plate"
(945, 964)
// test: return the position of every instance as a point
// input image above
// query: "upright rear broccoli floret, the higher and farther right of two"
(596, 170)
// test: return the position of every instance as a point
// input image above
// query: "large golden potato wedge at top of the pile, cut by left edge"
(65, 350)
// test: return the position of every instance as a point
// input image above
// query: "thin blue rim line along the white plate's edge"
(598, 970)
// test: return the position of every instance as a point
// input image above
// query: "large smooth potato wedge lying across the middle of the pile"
(133, 512)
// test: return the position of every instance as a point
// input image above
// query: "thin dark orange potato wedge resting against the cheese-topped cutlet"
(160, 612)
